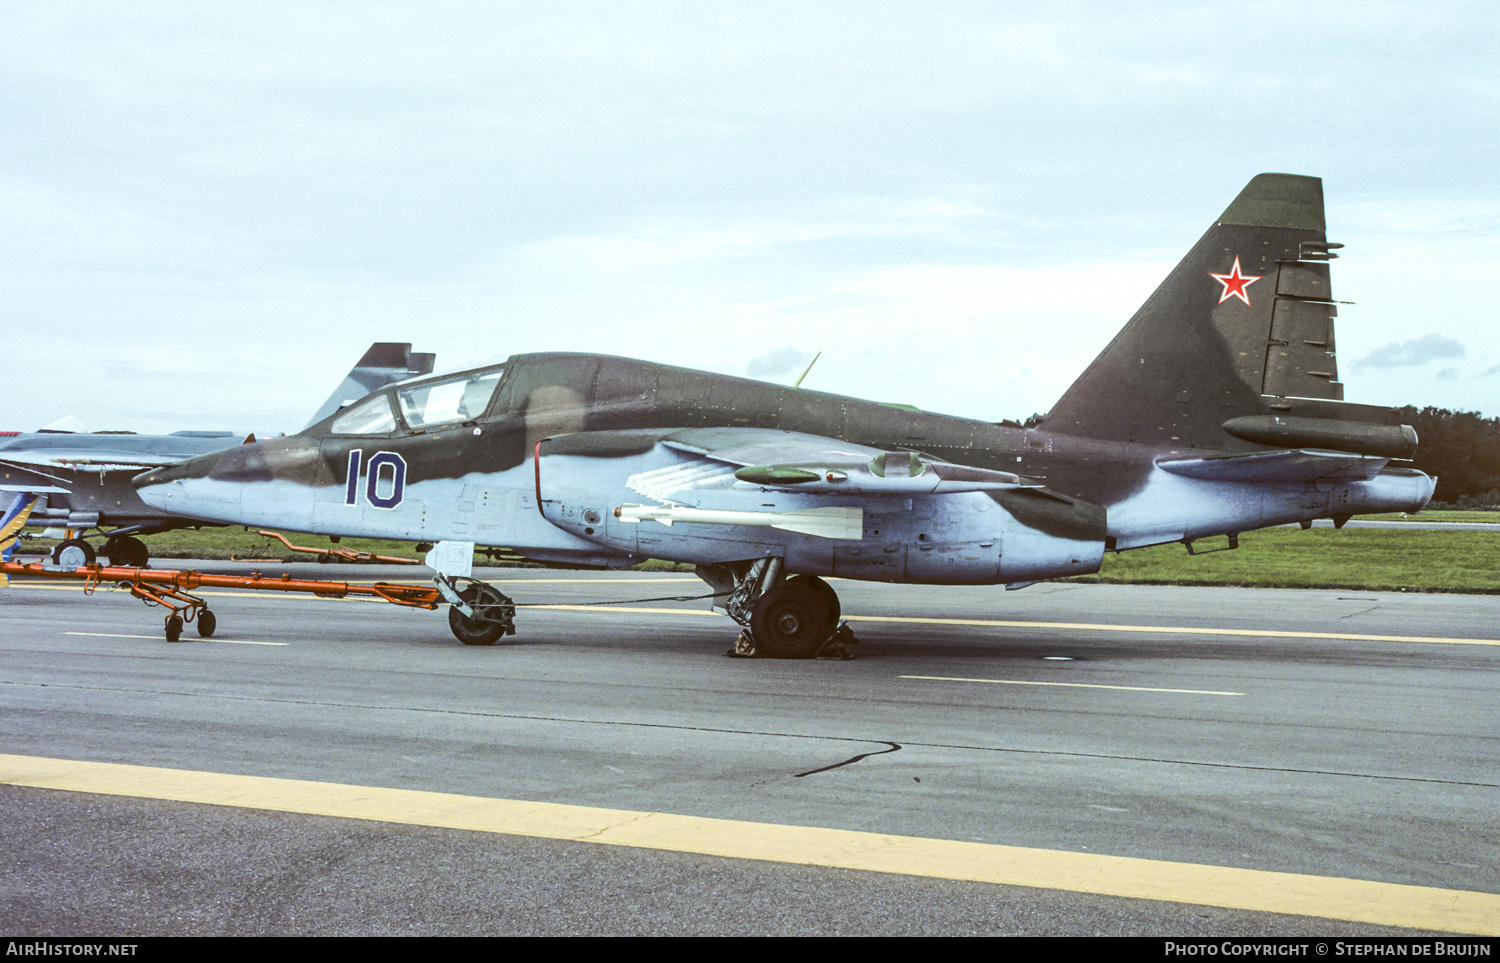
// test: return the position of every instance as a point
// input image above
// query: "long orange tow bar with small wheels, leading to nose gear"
(173, 590)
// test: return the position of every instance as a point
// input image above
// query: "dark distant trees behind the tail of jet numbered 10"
(1460, 448)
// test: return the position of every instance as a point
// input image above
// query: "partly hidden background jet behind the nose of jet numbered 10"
(86, 478)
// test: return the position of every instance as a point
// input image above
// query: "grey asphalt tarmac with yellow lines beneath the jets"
(1138, 761)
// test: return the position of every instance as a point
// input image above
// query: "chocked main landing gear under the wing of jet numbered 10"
(784, 619)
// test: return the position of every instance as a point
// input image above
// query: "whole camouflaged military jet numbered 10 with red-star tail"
(1217, 410)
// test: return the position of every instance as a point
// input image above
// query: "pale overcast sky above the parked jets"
(211, 211)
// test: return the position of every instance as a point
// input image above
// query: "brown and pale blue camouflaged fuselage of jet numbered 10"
(479, 481)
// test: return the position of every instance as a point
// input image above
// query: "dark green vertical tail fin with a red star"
(1240, 334)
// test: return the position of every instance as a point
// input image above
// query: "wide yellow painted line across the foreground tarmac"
(1381, 904)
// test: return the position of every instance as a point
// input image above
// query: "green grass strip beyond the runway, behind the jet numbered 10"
(1352, 559)
